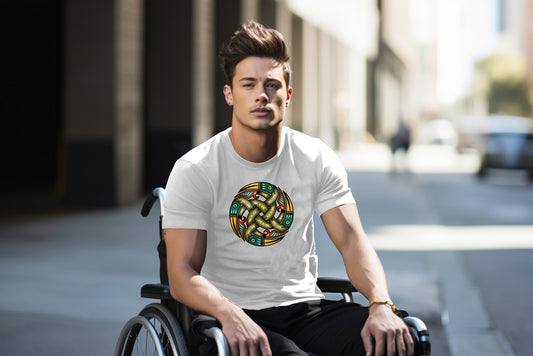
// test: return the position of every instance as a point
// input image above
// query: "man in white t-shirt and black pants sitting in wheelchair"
(238, 224)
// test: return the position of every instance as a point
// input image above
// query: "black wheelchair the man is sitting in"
(170, 328)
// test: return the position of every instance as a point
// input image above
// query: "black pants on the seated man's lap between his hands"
(323, 328)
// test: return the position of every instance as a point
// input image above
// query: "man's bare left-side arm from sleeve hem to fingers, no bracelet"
(186, 251)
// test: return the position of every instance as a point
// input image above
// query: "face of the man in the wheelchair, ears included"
(259, 94)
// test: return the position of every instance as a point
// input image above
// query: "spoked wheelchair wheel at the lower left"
(154, 331)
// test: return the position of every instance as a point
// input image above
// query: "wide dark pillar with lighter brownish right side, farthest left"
(103, 101)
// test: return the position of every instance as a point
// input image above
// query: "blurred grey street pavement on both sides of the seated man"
(457, 253)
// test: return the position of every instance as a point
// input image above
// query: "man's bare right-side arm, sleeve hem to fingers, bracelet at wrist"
(383, 330)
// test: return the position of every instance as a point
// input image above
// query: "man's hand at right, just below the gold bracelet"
(385, 333)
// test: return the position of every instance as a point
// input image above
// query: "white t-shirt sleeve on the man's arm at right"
(333, 189)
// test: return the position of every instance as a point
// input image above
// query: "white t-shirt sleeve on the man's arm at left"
(187, 198)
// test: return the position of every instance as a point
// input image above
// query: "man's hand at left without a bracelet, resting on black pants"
(243, 335)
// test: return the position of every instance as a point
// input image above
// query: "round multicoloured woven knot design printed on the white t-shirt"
(261, 214)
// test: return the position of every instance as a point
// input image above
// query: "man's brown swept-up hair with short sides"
(254, 40)
